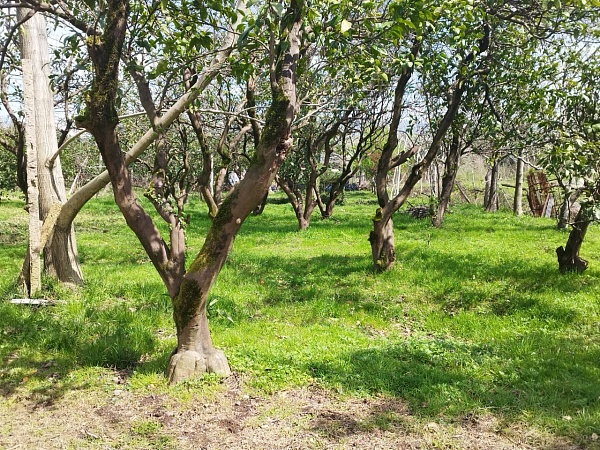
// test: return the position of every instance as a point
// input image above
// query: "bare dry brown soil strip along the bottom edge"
(308, 418)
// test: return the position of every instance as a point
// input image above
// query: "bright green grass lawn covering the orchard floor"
(474, 318)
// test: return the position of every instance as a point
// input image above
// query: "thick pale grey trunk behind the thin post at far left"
(60, 252)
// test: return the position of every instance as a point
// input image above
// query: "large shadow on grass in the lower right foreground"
(501, 378)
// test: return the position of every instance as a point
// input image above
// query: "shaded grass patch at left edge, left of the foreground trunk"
(42, 347)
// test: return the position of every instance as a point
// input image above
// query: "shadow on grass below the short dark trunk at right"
(505, 285)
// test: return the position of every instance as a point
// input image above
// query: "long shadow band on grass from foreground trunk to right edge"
(456, 283)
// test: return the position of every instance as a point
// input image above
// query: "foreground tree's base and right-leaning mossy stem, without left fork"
(195, 353)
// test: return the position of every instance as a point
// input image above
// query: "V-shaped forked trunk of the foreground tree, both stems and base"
(188, 291)
